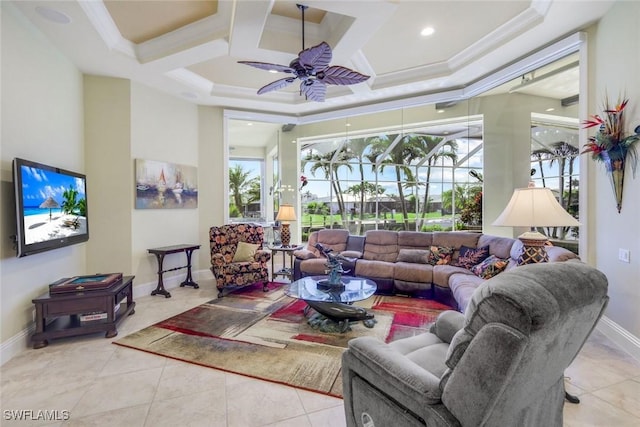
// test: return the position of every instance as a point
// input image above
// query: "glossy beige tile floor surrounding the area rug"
(101, 384)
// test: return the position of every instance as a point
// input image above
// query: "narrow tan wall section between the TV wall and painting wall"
(107, 124)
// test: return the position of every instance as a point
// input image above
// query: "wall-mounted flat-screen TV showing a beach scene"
(51, 207)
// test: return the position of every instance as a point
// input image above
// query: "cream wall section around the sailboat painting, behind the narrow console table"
(164, 128)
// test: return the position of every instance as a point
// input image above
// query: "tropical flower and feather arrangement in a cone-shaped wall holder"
(611, 147)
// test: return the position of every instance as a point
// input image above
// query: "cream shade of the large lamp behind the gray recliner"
(534, 207)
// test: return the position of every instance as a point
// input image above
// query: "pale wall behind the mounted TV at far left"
(41, 121)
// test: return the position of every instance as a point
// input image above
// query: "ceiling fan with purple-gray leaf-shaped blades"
(312, 68)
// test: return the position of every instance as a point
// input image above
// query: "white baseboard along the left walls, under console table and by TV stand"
(22, 340)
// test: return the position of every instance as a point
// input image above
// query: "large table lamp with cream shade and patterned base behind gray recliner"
(534, 207)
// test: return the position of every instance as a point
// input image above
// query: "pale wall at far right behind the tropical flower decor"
(614, 68)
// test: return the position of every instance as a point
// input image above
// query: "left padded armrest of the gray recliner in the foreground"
(374, 360)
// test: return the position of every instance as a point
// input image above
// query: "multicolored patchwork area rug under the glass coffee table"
(266, 335)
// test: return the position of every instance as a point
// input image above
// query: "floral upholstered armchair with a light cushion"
(237, 256)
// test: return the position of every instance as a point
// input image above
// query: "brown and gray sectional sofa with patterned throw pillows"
(401, 262)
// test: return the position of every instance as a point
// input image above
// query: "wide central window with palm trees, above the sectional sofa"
(394, 180)
